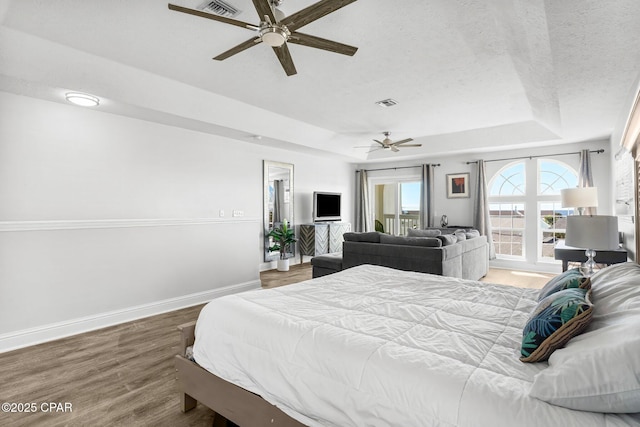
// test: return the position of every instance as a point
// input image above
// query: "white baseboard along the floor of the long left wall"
(54, 331)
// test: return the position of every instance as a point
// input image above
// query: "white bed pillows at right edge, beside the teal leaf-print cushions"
(599, 371)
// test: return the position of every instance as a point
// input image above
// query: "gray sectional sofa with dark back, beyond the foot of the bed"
(447, 252)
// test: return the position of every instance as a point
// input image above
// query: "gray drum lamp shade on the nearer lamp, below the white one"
(599, 232)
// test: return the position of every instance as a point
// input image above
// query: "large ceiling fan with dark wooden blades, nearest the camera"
(277, 30)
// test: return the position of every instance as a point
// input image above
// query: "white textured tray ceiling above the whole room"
(468, 75)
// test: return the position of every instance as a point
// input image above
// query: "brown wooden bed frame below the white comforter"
(227, 400)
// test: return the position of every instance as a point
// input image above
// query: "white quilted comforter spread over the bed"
(373, 346)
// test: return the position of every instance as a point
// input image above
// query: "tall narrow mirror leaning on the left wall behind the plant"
(278, 202)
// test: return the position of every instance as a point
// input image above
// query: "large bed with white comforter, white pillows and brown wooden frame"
(374, 346)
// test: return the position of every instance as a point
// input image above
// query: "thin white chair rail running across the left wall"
(7, 226)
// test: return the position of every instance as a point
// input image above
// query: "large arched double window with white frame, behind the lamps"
(526, 214)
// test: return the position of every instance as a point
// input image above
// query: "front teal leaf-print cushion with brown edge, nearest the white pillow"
(557, 318)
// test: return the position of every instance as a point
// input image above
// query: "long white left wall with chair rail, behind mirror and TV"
(104, 218)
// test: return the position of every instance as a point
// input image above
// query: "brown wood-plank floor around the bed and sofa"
(124, 375)
